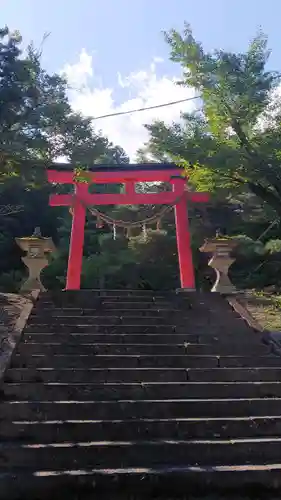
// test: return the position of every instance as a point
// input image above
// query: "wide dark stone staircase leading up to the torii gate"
(130, 394)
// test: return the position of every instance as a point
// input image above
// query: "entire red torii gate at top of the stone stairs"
(128, 175)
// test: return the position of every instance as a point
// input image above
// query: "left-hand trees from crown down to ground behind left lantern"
(38, 125)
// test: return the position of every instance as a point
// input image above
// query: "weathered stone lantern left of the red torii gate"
(36, 247)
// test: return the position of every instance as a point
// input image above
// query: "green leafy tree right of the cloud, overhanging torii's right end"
(233, 140)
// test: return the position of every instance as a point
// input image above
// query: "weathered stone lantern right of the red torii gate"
(221, 260)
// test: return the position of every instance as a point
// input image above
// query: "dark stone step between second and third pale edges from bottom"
(88, 430)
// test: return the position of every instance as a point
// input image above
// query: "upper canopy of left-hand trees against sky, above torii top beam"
(37, 122)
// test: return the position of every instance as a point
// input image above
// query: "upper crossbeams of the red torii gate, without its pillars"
(128, 174)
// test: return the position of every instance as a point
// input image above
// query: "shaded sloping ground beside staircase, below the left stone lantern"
(11, 307)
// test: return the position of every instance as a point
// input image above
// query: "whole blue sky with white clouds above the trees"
(108, 48)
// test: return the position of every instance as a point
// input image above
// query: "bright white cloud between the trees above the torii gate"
(144, 88)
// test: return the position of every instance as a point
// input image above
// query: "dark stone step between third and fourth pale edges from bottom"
(131, 409)
